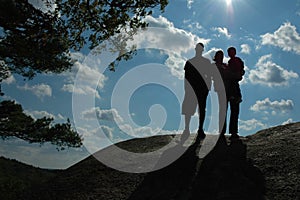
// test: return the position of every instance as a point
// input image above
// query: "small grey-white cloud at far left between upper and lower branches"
(40, 90)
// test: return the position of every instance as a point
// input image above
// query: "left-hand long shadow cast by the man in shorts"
(173, 181)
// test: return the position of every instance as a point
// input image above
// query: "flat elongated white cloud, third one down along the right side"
(267, 105)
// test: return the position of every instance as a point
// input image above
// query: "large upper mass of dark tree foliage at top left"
(34, 41)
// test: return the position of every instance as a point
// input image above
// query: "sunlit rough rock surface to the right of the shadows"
(276, 152)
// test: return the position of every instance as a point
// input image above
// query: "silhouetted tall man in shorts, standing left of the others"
(197, 84)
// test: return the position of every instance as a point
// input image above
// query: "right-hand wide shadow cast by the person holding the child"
(226, 174)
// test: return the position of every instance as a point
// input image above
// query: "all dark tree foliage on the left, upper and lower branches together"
(33, 41)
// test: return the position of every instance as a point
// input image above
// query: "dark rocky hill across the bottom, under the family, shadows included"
(265, 165)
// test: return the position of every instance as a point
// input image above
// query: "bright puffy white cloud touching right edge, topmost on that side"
(285, 37)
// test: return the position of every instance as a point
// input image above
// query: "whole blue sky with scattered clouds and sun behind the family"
(143, 97)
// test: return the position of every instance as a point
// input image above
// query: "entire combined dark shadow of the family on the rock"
(224, 174)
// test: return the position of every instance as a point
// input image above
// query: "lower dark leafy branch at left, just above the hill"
(15, 123)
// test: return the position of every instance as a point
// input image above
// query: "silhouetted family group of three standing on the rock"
(199, 75)
